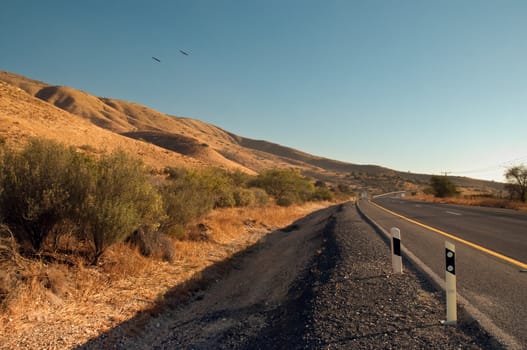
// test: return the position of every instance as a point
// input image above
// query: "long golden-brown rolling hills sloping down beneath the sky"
(98, 124)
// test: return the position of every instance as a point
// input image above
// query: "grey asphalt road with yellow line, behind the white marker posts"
(496, 287)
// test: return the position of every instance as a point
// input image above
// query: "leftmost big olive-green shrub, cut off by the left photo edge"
(42, 186)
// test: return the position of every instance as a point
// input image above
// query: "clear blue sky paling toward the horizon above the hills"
(420, 86)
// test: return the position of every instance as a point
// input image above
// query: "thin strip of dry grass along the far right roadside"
(473, 201)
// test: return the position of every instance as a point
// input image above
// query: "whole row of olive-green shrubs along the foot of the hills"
(48, 189)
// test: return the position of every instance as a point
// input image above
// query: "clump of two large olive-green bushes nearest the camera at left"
(48, 187)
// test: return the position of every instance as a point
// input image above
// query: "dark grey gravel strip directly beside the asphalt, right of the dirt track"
(360, 304)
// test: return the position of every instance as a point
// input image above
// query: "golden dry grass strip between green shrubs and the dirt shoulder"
(67, 305)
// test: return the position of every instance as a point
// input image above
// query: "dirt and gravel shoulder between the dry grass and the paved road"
(324, 282)
